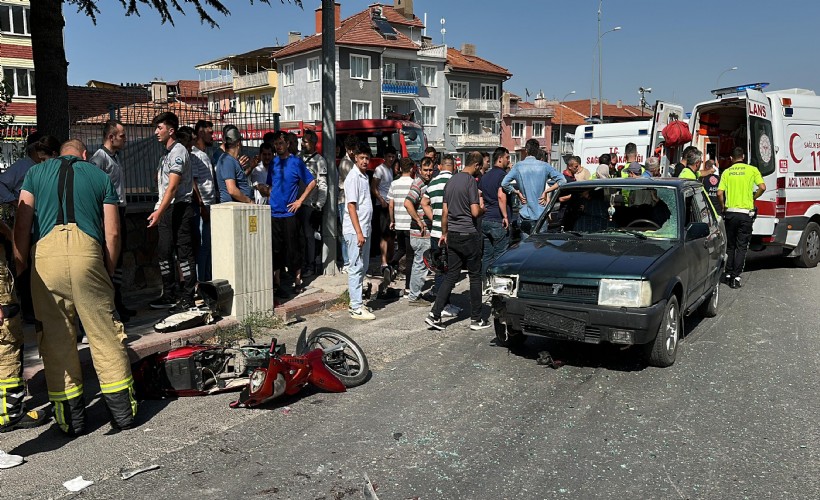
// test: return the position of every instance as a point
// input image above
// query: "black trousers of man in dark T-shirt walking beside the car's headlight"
(463, 250)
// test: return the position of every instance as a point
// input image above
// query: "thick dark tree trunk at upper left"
(51, 67)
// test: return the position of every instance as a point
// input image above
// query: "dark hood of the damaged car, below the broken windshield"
(553, 256)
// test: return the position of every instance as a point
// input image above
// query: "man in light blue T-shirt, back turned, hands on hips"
(531, 177)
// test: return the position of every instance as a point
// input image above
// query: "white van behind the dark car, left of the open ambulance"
(591, 141)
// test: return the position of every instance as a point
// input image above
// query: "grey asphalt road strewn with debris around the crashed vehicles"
(450, 415)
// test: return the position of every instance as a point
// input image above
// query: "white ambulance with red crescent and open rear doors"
(780, 132)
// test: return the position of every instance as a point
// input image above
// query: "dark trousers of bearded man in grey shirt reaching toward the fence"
(176, 232)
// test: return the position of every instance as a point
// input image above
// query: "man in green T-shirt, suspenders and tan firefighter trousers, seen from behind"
(68, 218)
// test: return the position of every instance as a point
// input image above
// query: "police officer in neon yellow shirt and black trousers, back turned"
(737, 193)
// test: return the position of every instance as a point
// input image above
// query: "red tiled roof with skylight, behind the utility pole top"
(358, 30)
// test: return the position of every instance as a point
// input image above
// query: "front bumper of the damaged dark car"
(588, 323)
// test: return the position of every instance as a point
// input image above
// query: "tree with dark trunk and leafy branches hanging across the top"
(51, 67)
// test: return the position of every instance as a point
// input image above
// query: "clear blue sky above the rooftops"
(677, 48)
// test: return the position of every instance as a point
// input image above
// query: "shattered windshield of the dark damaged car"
(640, 211)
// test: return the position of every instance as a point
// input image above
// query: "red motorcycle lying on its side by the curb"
(327, 359)
